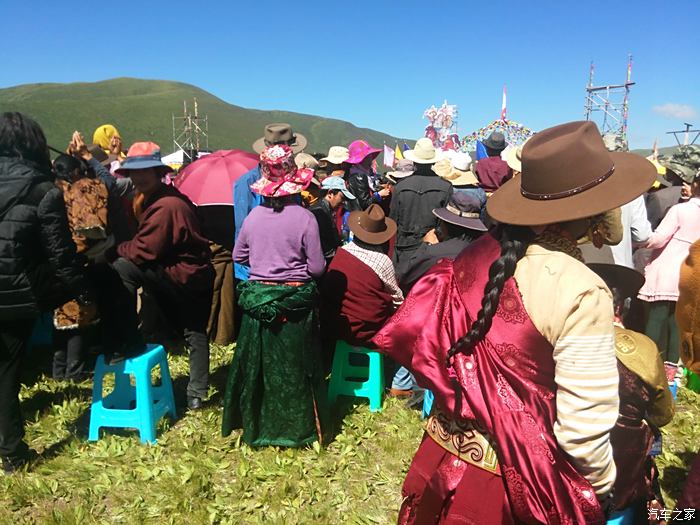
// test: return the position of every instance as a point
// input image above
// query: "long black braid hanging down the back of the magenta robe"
(514, 242)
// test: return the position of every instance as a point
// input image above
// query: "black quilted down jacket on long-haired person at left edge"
(38, 263)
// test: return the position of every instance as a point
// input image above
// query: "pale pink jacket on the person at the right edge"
(671, 242)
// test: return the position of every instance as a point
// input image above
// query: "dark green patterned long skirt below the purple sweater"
(275, 378)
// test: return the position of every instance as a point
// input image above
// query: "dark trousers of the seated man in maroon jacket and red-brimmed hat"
(188, 313)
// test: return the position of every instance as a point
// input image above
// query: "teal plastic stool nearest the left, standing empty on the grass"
(151, 402)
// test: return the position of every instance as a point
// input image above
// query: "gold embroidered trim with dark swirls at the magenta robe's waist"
(464, 440)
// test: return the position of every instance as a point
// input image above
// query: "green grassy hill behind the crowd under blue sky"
(143, 109)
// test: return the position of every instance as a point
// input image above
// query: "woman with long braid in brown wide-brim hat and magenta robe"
(515, 339)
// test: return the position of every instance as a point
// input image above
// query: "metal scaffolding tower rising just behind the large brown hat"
(608, 105)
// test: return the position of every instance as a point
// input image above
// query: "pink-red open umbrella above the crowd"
(209, 180)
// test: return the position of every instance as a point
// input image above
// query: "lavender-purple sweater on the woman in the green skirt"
(281, 246)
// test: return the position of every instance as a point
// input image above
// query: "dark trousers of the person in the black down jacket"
(14, 336)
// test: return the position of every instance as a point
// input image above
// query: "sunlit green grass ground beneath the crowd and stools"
(193, 475)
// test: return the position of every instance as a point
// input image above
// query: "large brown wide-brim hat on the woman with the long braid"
(567, 174)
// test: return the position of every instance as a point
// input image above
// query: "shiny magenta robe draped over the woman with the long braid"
(499, 398)
